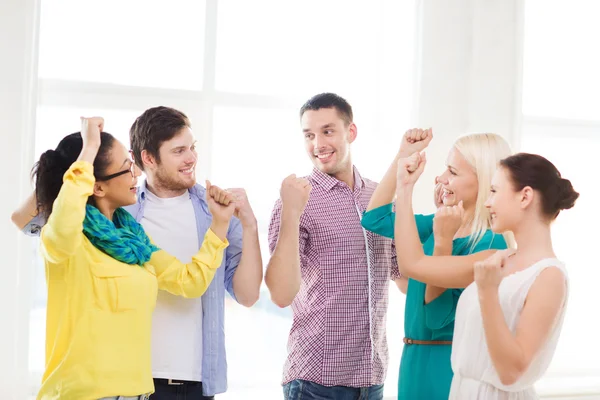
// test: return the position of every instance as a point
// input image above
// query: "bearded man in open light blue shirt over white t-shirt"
(188, 349)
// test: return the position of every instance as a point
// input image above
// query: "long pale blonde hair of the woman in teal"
(483, 151)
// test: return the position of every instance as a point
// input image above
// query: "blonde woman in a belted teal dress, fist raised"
(425, 371)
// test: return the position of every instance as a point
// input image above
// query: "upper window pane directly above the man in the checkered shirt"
(310, 46)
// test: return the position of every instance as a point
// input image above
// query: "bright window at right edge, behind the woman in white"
(561, 121)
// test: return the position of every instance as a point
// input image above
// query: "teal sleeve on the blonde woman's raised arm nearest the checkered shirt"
(381, 220)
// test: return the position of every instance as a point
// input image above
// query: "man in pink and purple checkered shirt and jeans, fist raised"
(334, 274)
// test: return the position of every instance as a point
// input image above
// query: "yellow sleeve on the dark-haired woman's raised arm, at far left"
(63, 233)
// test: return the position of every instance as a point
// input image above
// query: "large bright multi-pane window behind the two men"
(240, 70)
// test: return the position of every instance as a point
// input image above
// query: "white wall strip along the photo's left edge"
(18, 27)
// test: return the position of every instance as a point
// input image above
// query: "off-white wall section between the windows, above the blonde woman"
(468, 74)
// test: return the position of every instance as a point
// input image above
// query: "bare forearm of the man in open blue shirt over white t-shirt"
(248, 275)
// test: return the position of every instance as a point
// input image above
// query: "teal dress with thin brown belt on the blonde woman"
(425, 371)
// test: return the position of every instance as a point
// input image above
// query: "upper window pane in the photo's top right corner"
(560, 77)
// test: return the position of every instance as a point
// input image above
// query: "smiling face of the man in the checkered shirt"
(327, 140)
